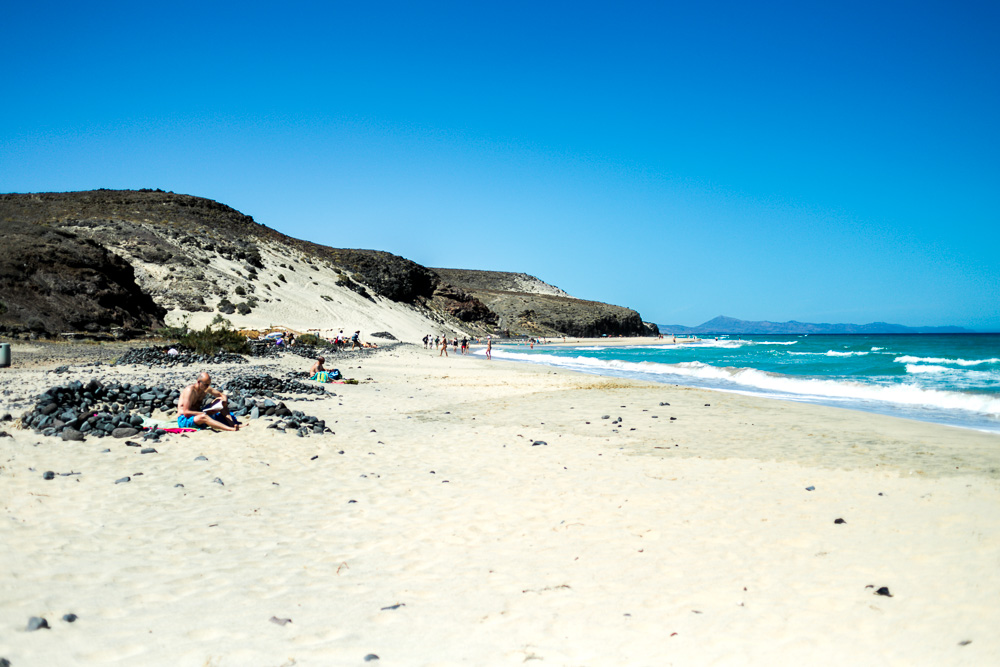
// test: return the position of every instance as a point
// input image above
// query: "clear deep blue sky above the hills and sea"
(825, 162)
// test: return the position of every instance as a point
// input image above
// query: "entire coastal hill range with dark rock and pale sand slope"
(124, 259)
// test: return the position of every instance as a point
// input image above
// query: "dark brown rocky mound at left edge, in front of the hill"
(53, 281)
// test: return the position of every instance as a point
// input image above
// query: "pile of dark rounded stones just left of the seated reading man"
(76, 410)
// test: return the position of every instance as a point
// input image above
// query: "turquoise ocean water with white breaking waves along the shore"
(949, 379)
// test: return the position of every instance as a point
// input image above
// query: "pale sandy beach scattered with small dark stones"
(491, 513)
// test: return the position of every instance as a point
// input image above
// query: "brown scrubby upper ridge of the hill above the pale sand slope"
(182, 234)
